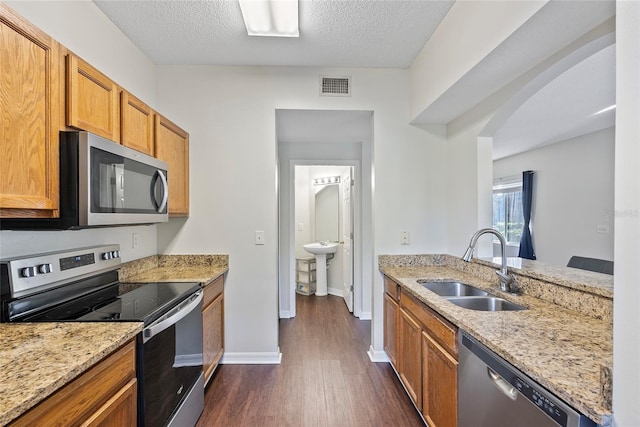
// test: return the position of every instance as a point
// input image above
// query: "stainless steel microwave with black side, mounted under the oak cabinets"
(103, 183)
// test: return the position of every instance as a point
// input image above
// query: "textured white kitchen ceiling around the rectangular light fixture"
(333, 33)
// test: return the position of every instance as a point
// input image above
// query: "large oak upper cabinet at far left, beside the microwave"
(29, 111)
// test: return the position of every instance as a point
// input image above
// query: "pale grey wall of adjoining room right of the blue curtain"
(573, 194)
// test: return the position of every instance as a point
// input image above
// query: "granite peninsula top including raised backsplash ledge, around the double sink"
(563, 340)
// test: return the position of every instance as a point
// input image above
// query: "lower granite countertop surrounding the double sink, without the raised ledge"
(559, 348)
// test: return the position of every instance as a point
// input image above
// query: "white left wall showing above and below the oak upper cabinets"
(84, 29)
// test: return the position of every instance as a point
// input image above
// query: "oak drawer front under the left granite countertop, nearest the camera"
(78, 400)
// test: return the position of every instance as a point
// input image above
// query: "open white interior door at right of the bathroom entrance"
(347, 238)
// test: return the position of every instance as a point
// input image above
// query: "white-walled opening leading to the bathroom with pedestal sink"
(331, 143)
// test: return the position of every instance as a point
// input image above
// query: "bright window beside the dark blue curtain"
(507, 209)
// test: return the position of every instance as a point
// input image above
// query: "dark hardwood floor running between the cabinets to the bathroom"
(325, 378)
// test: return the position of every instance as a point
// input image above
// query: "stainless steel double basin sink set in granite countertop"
(470, 297)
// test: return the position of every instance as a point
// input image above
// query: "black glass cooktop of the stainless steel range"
(120, 302)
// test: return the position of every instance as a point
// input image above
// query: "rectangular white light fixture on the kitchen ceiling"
(273, 18)
